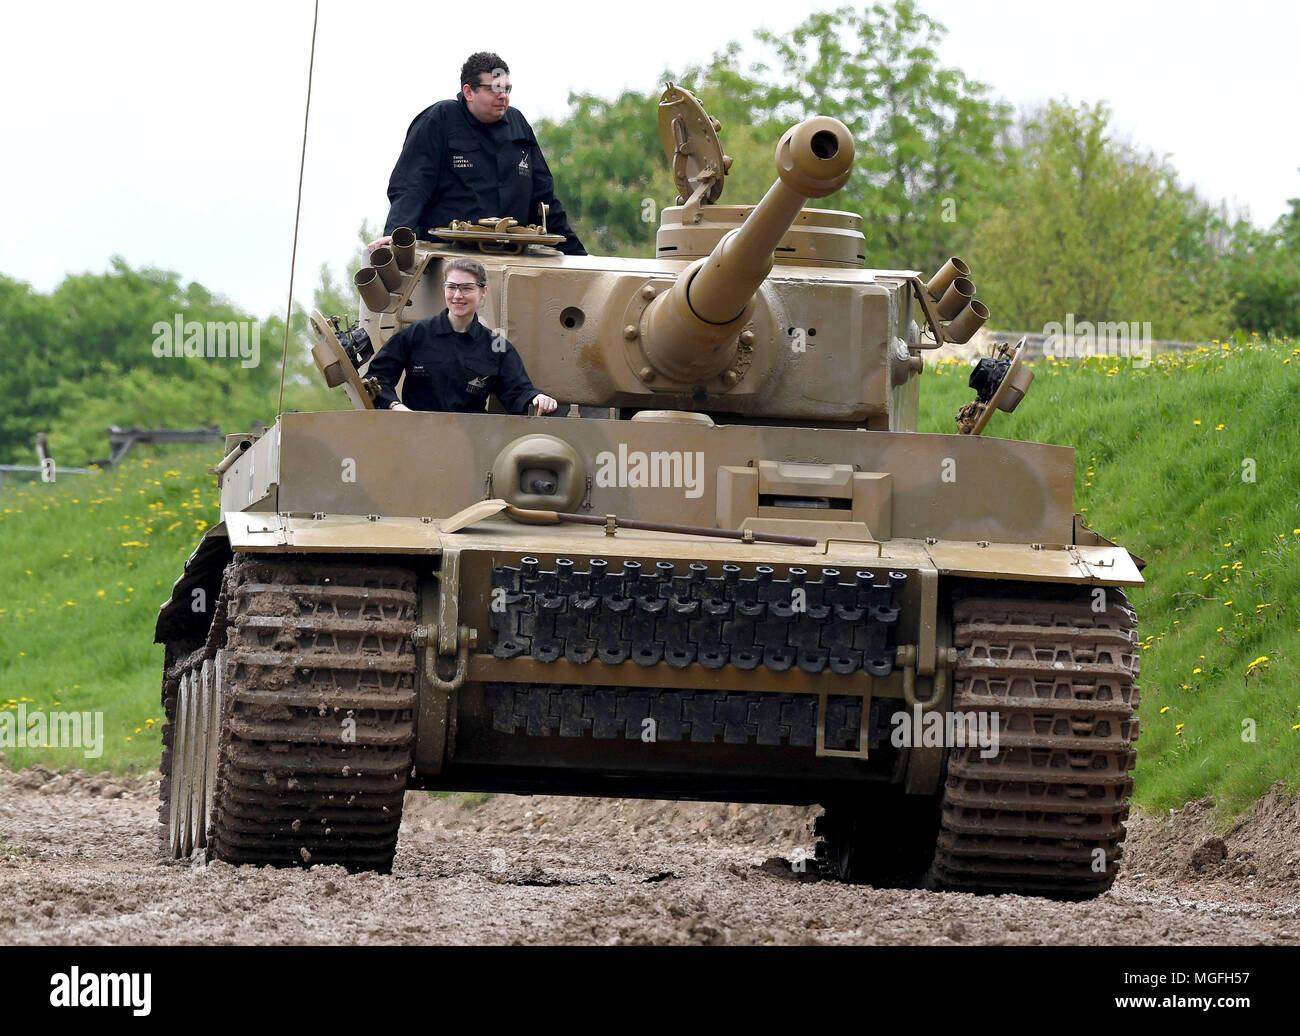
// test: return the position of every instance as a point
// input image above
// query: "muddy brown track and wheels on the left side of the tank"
(289, 730)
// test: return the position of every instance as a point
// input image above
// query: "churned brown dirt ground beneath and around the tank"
(79, 865)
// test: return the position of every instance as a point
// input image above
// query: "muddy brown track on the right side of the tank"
(1046, 814)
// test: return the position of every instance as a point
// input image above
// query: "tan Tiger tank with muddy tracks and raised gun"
(727, 569)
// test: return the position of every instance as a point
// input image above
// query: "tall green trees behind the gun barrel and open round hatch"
(926, 136)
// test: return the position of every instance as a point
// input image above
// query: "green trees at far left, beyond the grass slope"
(86, 357)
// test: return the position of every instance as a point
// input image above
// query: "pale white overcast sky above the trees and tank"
(171, 133)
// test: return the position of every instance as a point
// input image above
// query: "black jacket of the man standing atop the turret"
(453, 167)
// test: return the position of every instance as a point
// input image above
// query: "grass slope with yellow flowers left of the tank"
(85, 565)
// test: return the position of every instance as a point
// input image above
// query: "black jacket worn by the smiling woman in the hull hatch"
(449, 370)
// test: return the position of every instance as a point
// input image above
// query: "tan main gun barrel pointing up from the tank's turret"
(691, 332)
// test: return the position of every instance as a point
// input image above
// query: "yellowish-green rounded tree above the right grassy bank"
(1098, 229)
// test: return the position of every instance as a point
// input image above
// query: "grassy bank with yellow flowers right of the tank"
(1162, 469)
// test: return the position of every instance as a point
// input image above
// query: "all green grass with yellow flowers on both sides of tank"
(1193, 463)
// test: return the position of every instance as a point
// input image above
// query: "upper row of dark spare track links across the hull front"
(811, 621)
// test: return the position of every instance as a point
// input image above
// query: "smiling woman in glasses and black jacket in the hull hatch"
(452, 362)
